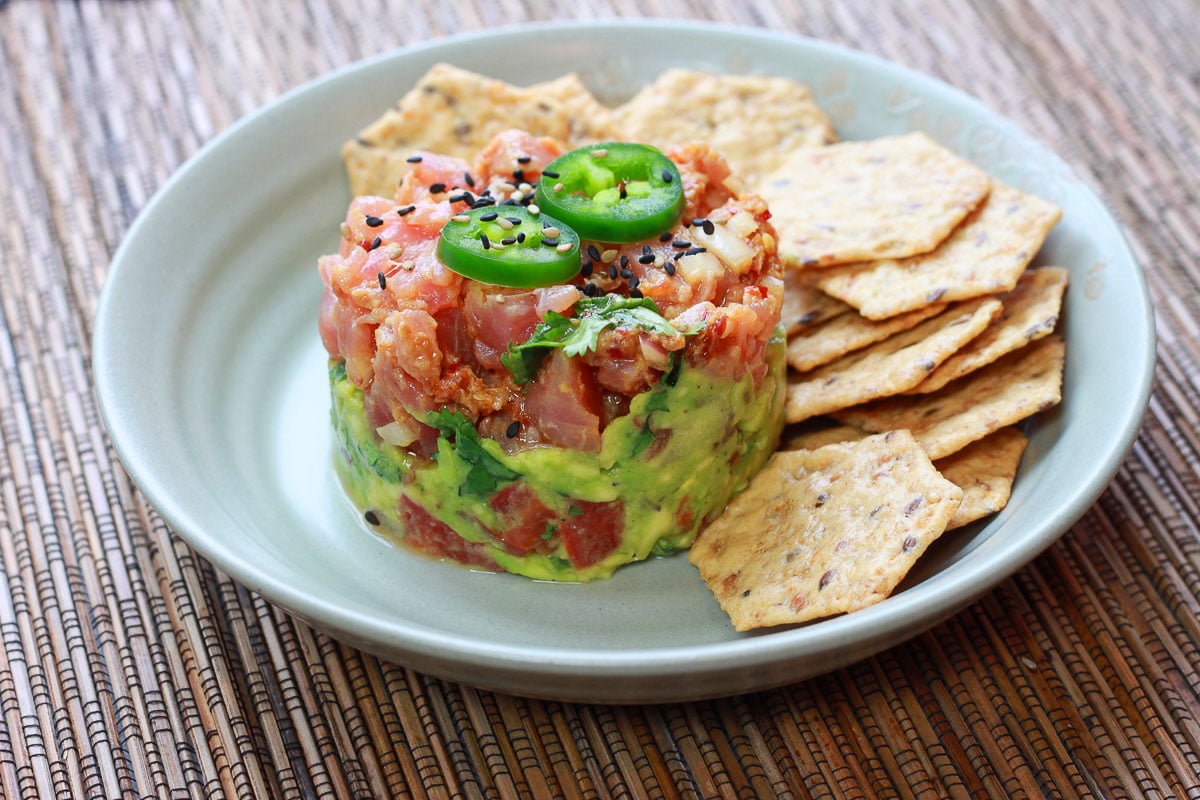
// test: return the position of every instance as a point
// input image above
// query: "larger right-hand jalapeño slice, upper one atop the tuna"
(614, 193)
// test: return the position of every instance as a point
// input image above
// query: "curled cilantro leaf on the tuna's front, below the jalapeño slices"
(580, 334)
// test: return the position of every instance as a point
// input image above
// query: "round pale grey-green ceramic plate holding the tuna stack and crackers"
(213, 383)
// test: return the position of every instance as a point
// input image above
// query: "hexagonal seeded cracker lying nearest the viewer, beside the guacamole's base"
(825, 532)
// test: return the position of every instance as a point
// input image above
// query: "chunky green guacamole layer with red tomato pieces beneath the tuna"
(688, 446)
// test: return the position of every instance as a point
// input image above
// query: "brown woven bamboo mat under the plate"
(131, 667)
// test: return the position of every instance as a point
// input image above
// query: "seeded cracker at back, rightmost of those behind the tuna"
(753, 122)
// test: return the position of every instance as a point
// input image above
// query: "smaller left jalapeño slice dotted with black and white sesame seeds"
(508, 246)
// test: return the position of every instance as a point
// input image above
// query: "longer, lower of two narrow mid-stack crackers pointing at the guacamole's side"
(890, 368)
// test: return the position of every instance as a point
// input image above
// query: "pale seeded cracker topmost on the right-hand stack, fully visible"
(867, 201)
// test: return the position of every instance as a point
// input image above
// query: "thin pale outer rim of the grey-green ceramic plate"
(958, 586)
